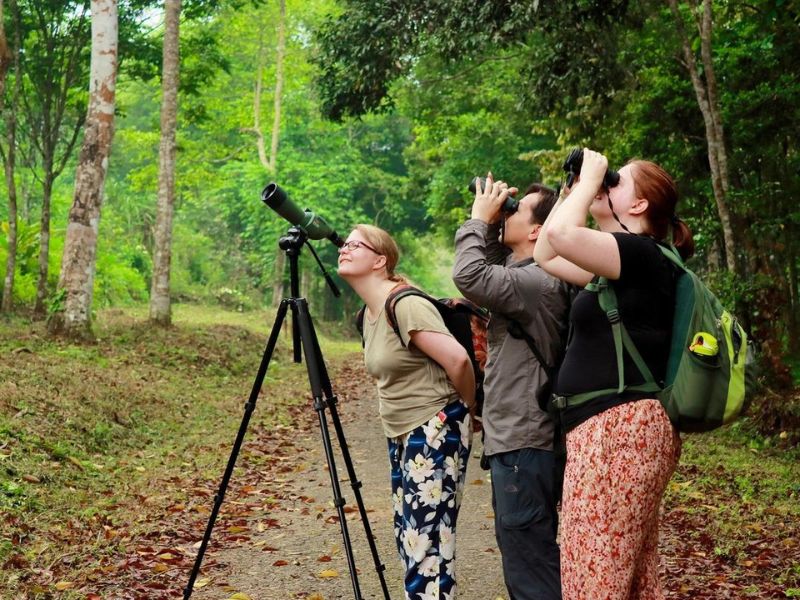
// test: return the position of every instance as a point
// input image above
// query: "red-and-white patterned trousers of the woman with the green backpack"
(618, 466)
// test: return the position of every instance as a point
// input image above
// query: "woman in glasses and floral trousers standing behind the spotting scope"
(425, 389)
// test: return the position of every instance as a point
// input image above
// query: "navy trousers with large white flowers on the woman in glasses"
(428, 469)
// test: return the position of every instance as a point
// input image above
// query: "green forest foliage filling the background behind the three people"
(501, 86)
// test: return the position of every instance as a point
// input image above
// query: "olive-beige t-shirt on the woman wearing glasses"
(412, 387)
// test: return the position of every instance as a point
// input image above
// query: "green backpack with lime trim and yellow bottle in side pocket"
(710, 358)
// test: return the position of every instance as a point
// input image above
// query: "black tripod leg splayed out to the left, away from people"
(248, 410)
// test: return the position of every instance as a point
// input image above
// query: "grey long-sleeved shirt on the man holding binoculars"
(485, 273)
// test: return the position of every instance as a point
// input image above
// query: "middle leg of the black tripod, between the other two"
(316, 375)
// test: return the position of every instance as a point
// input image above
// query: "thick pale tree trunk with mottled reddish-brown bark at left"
(72, 316)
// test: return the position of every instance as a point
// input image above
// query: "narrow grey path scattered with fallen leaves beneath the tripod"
(299, 550)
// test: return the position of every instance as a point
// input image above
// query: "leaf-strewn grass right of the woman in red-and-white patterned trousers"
(735, 499)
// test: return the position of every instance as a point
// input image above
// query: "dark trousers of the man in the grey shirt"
(526, 522)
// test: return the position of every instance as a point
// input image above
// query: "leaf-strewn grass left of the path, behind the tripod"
(91, 434)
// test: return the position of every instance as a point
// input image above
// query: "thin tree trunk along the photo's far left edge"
(7, 58)
